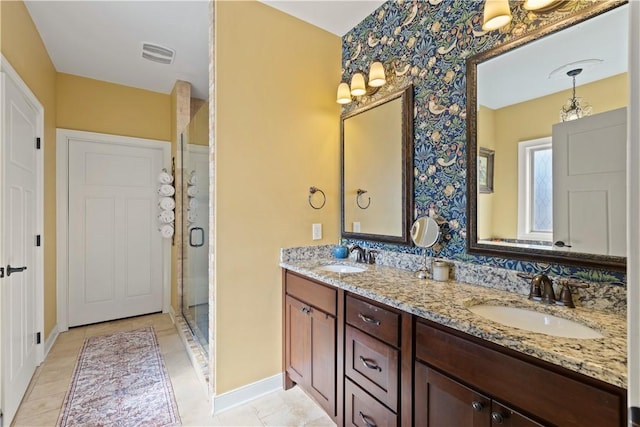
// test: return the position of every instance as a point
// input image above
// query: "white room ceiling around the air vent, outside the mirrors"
(103, 40)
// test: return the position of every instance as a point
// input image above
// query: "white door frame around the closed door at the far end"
(62, 212)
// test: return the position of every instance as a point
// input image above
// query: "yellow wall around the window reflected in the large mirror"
(531, 120)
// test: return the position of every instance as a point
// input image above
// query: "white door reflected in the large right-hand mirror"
(589, 190)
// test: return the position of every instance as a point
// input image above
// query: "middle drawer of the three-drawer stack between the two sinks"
(373, 365)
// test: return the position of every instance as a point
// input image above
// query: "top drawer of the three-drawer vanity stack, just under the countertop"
(380, 322)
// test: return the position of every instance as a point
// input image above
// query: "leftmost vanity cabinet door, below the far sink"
(297, 327)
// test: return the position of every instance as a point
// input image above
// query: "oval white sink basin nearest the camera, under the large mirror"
(534, 321)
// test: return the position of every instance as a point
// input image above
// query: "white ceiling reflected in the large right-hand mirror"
(523, 73)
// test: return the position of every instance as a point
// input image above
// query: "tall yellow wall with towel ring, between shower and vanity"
(277, 134)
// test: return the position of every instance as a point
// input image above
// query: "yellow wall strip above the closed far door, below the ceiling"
(98, 106)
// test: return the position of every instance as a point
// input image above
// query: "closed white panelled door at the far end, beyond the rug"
(115, 250)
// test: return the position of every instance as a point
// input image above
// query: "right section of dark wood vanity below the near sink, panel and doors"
(463, 381)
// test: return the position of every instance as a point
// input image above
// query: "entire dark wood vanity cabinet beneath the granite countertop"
(368, 364)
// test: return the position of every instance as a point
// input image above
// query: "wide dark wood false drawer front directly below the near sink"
(552, 393)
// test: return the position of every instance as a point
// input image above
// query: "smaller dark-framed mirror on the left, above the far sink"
(377, 159)
